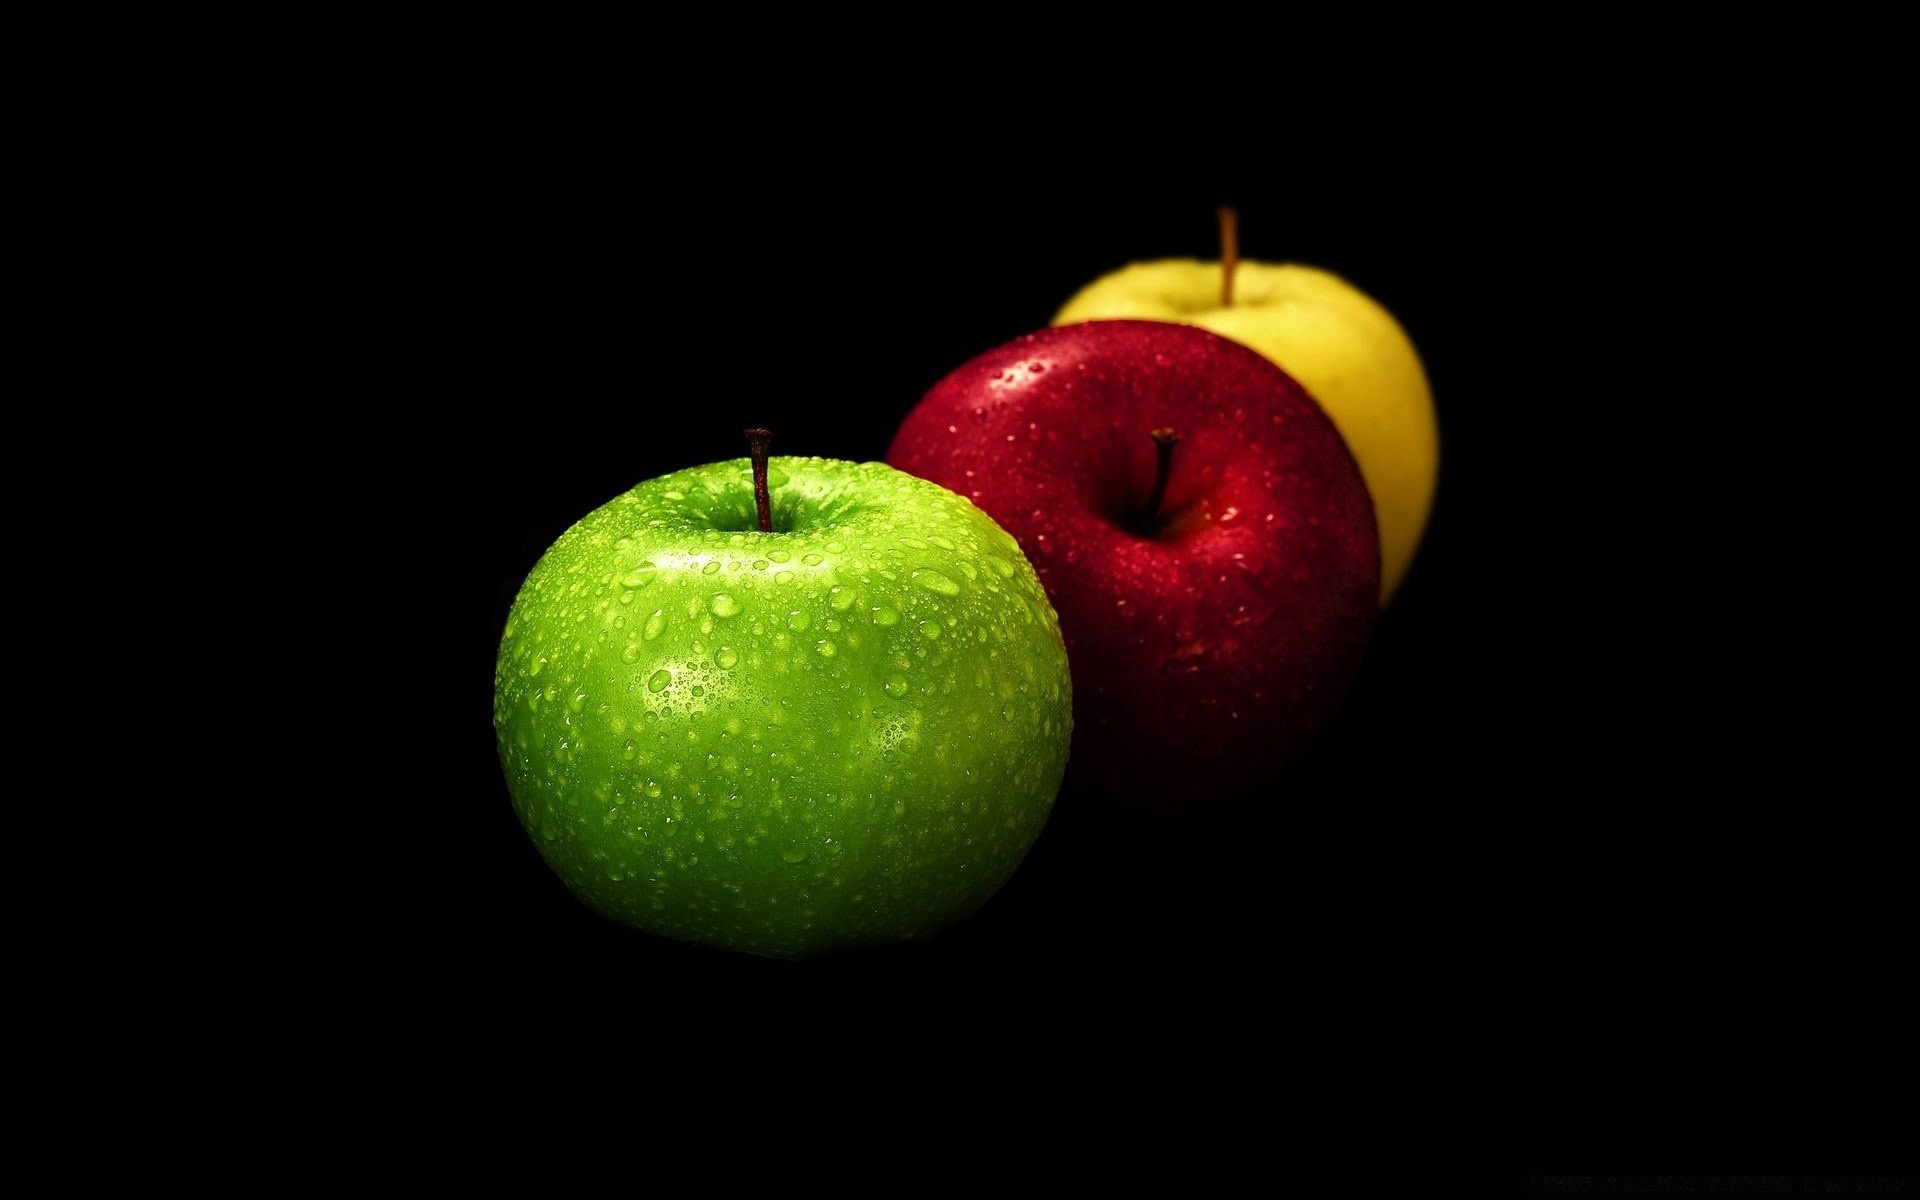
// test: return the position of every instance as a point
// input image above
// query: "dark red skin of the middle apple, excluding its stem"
(1212, 654)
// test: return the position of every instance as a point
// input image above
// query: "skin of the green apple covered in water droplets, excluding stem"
(842, 732)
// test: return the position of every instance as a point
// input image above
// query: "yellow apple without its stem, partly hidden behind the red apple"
(1332, 337)
